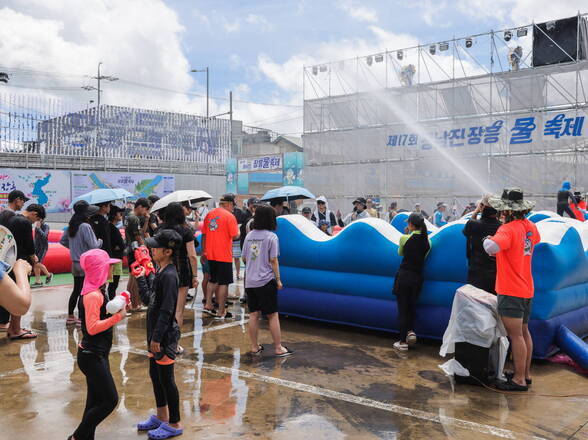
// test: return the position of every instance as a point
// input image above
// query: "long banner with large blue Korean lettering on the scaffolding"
(525, 129)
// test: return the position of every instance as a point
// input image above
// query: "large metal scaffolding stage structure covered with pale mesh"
(448, 120)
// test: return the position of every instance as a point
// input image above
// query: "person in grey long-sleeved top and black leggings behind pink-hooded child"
(79, 237)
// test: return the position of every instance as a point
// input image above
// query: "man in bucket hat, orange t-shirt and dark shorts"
(513, 246)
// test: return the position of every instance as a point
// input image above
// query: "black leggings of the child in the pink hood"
(102, 397)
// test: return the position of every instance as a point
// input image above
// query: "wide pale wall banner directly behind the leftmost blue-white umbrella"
(138, 184)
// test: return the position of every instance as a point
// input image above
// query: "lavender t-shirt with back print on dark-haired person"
(259, 248)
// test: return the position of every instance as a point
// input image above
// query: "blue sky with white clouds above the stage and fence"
(256, 49)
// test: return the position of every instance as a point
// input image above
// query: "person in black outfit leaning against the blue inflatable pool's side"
(414, 248)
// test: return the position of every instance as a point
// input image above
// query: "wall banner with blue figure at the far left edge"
(48, 188)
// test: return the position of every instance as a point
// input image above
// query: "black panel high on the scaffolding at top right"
(563, 33)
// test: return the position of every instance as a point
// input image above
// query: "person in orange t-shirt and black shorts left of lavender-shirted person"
(219, 230)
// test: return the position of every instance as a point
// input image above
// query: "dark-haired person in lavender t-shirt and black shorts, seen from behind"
(262, 278)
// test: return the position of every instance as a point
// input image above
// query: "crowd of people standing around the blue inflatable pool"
(500, 243)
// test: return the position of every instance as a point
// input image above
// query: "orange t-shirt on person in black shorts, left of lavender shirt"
(220, 226)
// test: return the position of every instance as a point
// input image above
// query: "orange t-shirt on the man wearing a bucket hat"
(516, 240)
